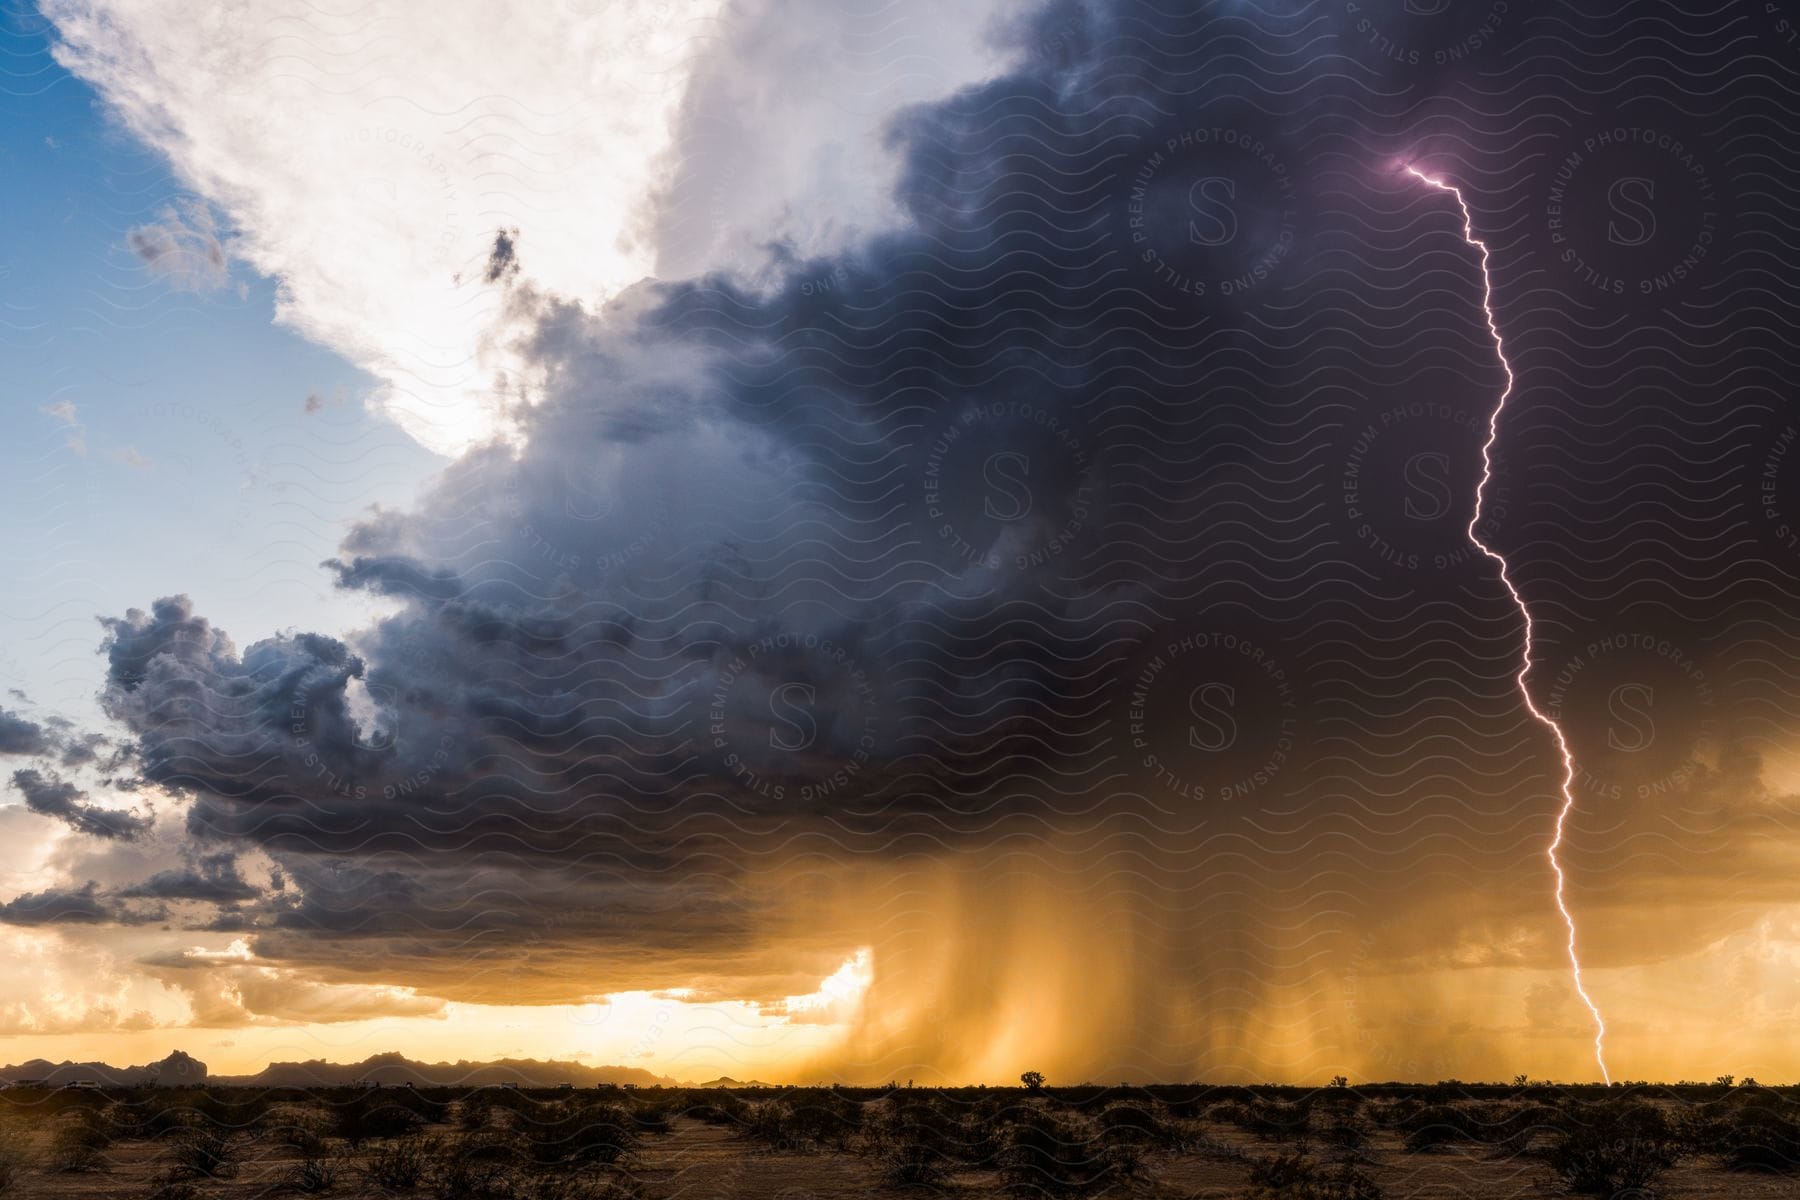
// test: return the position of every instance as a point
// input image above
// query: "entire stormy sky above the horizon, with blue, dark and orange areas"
(863, 541)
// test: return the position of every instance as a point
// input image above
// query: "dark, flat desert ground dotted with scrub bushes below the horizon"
(1227, 1143)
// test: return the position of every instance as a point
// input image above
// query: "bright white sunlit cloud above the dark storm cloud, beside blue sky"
(370, 156)
